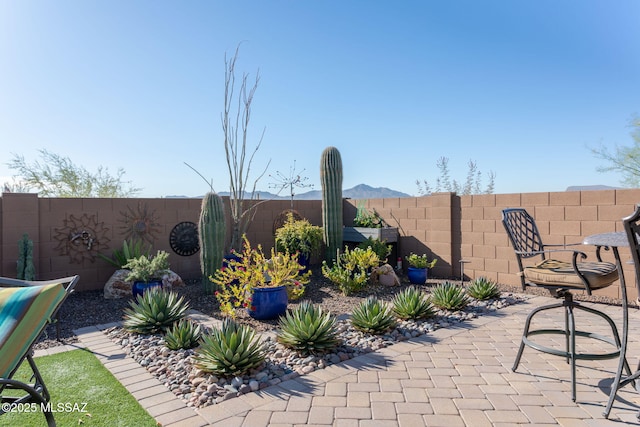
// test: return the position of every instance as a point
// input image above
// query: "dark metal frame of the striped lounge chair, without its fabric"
(35, 392)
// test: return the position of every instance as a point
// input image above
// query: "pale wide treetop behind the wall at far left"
(58, 176)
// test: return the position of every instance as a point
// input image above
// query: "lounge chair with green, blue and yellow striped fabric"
(26, 308)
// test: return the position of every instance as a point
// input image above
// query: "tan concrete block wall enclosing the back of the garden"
(446, 226)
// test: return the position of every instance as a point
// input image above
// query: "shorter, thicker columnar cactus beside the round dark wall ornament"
(211, 233)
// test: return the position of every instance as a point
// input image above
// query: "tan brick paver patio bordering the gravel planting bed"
(458, 376)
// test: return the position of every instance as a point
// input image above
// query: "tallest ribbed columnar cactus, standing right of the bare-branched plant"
(331, 180)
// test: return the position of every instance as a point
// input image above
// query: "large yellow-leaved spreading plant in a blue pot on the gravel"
(259, 284)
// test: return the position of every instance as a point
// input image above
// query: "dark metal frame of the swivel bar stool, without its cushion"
(525, 238)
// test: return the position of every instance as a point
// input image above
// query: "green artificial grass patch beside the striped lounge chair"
(74, 378)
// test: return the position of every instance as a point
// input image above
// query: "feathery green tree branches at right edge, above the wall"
(625, 160)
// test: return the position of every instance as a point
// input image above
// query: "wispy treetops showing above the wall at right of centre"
(472, 184)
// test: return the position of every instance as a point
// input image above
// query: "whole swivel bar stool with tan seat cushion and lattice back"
(560, 278)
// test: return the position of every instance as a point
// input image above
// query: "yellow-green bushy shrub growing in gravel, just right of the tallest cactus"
(351, 270)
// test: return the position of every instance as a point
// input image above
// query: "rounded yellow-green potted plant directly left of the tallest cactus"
(299, 236)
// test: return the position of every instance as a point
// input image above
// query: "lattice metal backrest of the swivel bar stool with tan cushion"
(523, 232)
